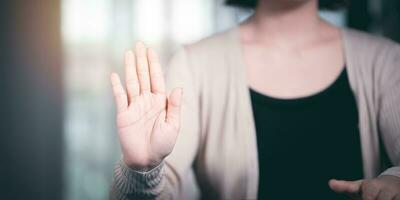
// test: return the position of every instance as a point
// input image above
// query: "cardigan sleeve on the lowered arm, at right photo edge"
(389, 107)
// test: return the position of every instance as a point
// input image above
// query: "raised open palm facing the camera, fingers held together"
(148, 122)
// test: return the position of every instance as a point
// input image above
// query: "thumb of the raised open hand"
(174, 107)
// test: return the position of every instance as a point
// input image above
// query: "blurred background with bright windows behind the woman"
(57, 115)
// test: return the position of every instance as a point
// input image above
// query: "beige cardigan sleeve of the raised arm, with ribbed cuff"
(175, 176)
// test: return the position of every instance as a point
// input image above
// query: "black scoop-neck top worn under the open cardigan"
(304, 142)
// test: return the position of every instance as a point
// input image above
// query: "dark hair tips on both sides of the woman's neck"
(322, 4)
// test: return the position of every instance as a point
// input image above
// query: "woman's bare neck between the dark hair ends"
(290, 22)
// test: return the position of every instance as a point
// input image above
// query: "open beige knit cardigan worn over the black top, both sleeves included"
(216, 153)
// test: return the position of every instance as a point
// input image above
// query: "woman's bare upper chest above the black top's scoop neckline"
(290, 73)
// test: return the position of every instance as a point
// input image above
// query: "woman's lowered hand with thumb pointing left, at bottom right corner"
(380, 188)
